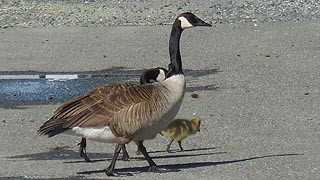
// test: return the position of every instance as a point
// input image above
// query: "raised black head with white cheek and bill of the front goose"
(188, 20)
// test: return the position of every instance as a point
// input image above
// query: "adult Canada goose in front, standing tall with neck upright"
(120, 112)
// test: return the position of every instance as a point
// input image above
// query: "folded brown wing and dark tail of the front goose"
(96, 108)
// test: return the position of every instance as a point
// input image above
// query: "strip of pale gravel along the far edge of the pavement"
(96, 13)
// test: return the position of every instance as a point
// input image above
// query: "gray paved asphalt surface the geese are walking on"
(258, 87)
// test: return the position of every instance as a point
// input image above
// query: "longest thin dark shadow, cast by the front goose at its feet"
(178, 167)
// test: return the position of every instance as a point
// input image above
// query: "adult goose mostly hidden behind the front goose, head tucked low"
(148, 76)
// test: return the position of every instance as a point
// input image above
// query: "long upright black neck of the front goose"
(175, 66)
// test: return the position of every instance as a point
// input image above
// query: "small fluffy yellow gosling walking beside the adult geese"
(180, 129)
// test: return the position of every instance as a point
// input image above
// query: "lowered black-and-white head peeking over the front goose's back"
(153, 75)
